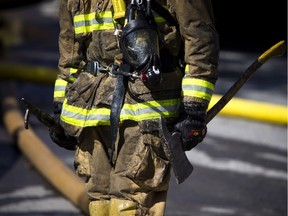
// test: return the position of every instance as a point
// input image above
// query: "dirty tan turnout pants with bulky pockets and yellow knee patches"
(138, 180)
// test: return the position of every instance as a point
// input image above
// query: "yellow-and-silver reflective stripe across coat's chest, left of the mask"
(85, 23)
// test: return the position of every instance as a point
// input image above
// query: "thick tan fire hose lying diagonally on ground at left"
(53, 169)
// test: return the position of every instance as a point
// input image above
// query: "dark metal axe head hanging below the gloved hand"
(181, 166)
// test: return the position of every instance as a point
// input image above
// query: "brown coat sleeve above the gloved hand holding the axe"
(201, 48)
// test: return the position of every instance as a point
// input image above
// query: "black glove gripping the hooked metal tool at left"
(60, 137)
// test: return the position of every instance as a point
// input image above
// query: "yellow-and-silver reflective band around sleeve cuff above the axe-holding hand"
(199, 88)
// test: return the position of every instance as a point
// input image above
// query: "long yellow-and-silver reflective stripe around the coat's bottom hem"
(137, 112)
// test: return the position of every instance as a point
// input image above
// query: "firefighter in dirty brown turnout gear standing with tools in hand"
(120, 70)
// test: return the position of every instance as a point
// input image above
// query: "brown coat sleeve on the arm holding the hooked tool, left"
(70, 53)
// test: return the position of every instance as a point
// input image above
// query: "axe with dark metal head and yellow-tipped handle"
(181, 166)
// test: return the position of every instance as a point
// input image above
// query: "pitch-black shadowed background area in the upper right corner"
(250, 25)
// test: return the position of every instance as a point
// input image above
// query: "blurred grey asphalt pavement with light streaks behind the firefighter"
(239, 170)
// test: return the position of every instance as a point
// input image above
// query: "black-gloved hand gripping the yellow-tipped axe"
(192, 125)
